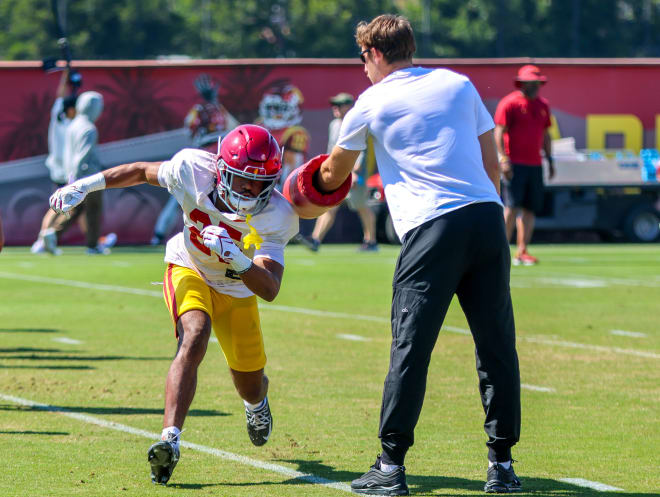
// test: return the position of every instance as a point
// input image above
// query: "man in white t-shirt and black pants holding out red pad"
(436, 154)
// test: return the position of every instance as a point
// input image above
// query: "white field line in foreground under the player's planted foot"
(275, 468)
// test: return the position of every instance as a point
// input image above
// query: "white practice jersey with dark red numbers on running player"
(190, 176)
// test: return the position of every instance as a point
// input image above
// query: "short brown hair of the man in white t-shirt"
(390, 34)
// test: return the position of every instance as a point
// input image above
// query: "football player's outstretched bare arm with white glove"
(66, 198)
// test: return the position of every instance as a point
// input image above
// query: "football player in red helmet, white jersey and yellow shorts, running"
(236, 226)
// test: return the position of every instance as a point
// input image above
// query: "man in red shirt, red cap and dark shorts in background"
(522, 119)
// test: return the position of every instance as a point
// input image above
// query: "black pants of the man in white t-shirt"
(464, 252)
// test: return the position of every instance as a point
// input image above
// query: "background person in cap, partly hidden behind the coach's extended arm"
(357, 198)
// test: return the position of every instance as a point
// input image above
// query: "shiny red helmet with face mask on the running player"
(248, 151)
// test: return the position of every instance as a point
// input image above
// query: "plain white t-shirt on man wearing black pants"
(425, 125)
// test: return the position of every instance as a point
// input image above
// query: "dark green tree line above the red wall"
(145, 29)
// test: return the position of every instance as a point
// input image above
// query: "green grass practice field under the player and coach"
(87, 341)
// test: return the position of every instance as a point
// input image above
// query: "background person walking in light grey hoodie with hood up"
(80, 160)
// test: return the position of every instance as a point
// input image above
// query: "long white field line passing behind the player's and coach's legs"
(314, 312)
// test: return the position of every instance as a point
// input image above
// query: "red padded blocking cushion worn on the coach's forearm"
(306, 200)
